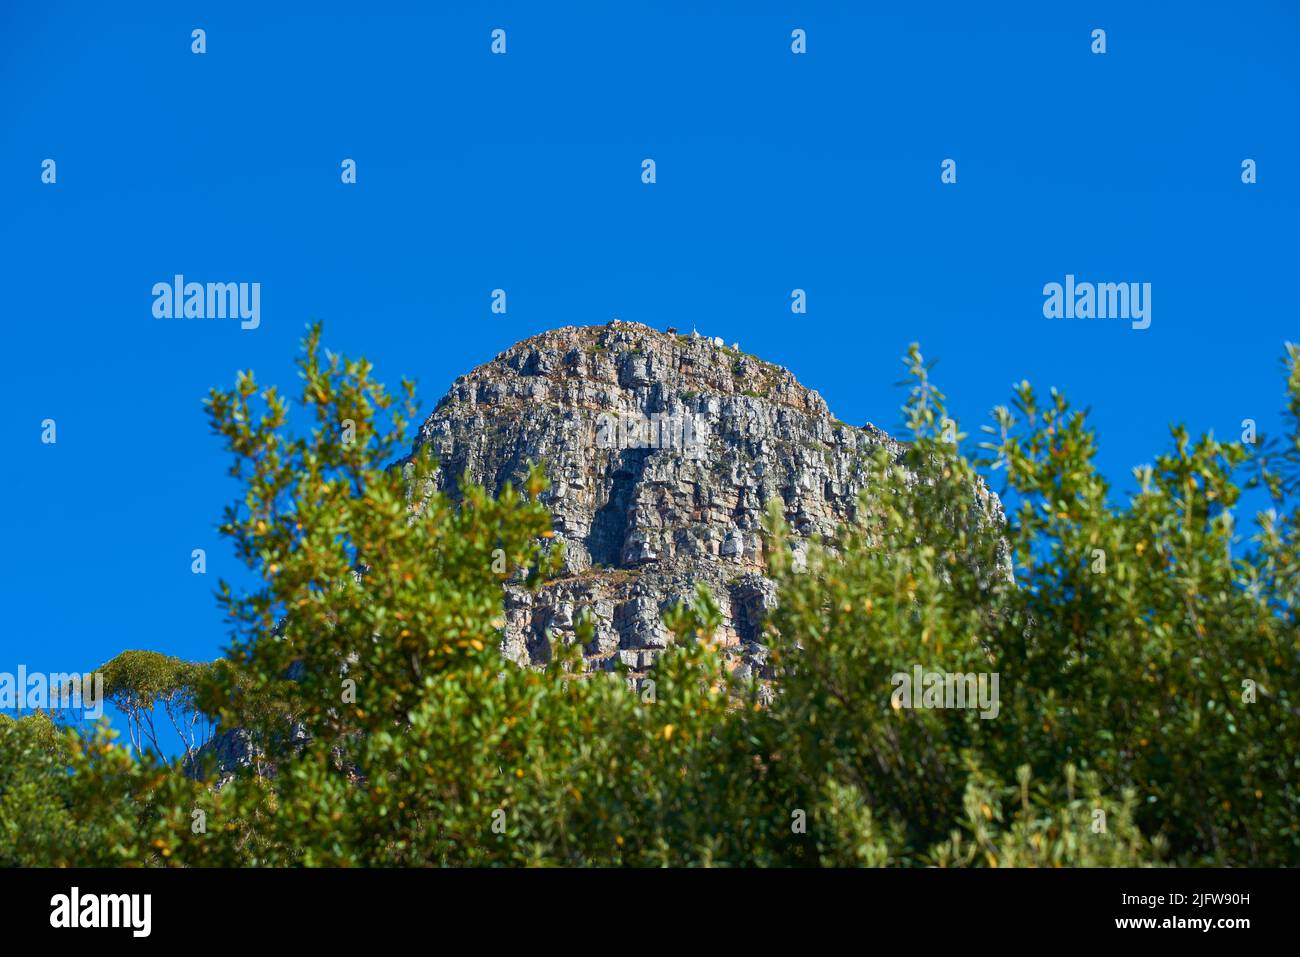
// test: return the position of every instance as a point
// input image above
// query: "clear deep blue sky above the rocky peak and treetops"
(523, 172)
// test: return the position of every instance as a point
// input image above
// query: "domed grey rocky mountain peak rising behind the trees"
(643, 522)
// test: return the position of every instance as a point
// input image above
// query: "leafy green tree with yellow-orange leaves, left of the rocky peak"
(402, 738)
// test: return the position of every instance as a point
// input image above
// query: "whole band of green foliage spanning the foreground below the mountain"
(1147, 665)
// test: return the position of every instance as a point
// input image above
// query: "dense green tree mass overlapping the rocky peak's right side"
(1141, 646)
